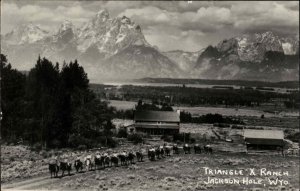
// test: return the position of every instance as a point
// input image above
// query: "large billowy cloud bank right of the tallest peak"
(213, 20)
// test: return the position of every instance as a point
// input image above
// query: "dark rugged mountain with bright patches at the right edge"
(263, 56)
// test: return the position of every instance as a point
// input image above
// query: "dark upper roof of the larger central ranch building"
(156, 116)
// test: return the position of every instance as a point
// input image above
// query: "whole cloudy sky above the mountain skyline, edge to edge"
(169, 25)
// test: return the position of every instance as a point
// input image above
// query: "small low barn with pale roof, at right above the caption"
(264, 139)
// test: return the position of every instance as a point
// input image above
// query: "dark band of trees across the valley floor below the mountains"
(204, 96)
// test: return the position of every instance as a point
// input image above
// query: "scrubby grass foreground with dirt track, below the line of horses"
(178, 172)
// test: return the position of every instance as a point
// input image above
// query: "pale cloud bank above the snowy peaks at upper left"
(47, 17)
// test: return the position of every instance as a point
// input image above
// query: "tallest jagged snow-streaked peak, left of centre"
(109, 35)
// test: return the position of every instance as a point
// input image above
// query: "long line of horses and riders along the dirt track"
(104, 160)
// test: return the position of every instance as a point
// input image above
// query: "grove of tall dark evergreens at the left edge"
(52, 106)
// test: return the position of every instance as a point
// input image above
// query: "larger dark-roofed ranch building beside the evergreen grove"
(157, 122)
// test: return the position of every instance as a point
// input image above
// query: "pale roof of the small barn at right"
(263, 134)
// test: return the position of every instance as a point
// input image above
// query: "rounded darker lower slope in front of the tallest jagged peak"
(137, 60)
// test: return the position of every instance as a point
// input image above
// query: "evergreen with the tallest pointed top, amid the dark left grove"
(42, 94)
